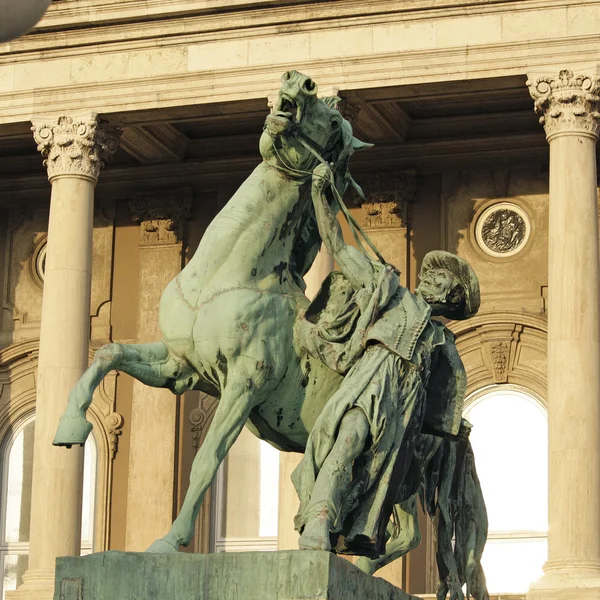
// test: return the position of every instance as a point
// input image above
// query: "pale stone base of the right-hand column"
(567, 582)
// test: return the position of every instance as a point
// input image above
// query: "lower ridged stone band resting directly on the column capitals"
(373, 70)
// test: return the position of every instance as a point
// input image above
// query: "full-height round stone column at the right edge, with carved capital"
(568, 105)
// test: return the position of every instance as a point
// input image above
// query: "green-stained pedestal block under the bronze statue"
(288, 575)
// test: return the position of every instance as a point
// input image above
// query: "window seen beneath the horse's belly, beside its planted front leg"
(246, 502)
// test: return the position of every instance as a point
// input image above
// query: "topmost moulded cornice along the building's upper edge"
(132, 24)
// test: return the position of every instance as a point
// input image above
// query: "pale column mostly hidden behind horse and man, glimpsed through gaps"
(287, 537)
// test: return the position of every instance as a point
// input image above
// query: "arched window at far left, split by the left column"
(16, 468)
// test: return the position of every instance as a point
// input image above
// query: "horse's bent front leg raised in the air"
(152, 364)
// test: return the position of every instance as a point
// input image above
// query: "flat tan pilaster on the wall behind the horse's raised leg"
(152, 458)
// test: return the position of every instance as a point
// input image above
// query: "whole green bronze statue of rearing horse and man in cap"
(362, 380)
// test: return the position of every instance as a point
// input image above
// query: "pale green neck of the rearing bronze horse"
(257, 225)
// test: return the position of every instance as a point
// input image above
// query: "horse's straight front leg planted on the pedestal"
(237, 400)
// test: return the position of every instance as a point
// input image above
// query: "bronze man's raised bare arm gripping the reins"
(357, 267)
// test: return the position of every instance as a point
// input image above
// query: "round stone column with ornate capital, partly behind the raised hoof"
(75, 148)
